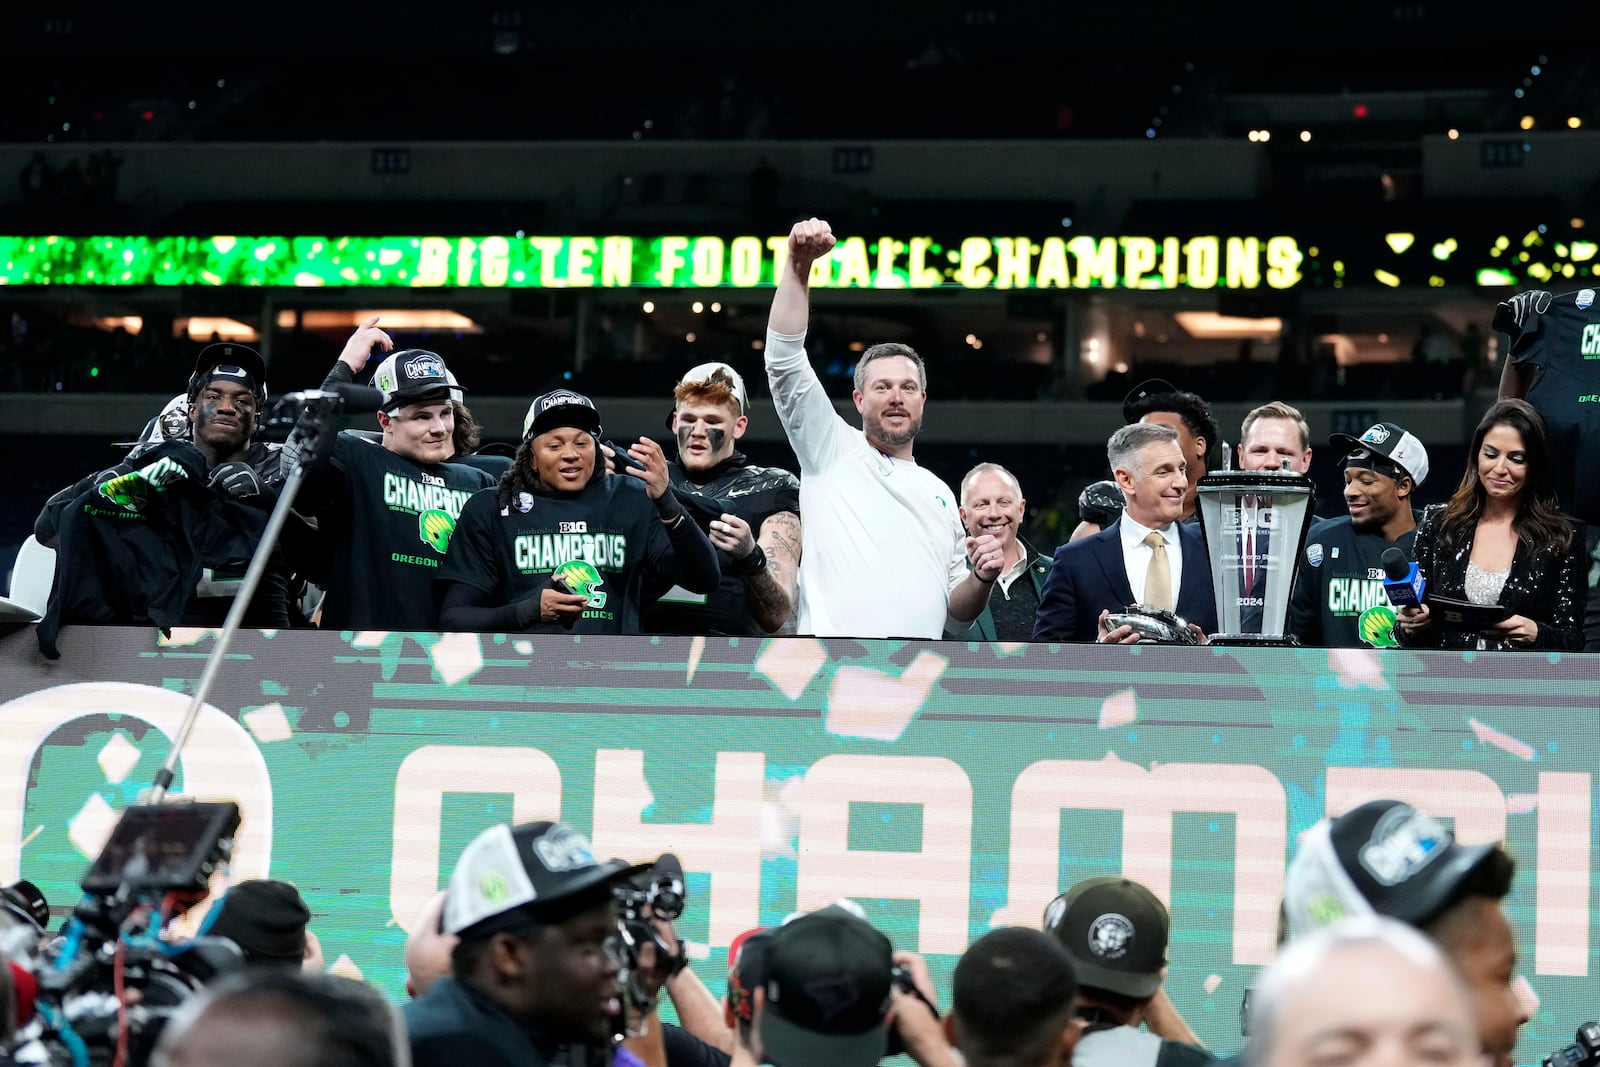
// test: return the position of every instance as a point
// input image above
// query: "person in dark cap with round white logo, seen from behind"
(1116, 932)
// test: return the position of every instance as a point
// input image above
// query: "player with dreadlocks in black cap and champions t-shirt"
(564, 545)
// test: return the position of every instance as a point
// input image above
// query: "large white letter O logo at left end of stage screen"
(220, 762)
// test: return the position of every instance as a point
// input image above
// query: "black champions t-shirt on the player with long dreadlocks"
(602, 541)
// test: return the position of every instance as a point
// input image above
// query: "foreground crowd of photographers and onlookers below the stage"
(1394, 949)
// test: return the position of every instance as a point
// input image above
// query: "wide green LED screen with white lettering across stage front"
(945, 786)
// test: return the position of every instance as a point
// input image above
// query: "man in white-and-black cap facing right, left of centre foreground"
(535, 975)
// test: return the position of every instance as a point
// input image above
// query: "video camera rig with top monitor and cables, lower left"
(158, 861)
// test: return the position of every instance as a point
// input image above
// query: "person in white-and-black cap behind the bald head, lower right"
(1388, 858)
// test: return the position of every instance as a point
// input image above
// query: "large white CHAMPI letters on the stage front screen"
(809, 820)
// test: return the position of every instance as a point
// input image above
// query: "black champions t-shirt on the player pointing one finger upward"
(390, 537)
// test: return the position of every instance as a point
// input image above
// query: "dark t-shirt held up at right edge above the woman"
(1564, 348)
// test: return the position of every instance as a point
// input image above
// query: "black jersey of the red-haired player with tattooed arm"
(751, 494)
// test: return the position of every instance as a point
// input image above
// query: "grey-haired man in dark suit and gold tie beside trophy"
(1145, 557)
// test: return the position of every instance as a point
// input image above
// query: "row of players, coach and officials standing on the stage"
(417, 527)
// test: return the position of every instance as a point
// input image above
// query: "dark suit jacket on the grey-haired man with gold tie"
(1089, 577)
